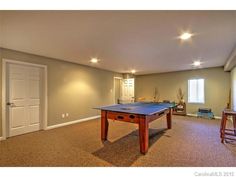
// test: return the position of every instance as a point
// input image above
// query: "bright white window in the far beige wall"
(196, 91)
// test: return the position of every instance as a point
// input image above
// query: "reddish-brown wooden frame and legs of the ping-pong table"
(142, 120)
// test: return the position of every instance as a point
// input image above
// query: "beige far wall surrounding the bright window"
(217, 84)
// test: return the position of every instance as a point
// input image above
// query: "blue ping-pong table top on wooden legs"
(138, 108)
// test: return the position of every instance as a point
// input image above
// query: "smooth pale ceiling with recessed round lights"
(123, 40)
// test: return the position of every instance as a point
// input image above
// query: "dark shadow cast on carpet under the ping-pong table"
(125, 151)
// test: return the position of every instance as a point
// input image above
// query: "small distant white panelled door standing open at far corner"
(128, 90)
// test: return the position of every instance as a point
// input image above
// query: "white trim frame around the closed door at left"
(43, 120)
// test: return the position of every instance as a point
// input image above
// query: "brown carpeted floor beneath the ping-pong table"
(192, 142)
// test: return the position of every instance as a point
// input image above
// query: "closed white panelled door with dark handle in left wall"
(23, 99)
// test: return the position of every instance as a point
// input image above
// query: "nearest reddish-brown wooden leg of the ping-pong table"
(143, 135)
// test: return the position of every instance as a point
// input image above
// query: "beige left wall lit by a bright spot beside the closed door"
(72, 88)
